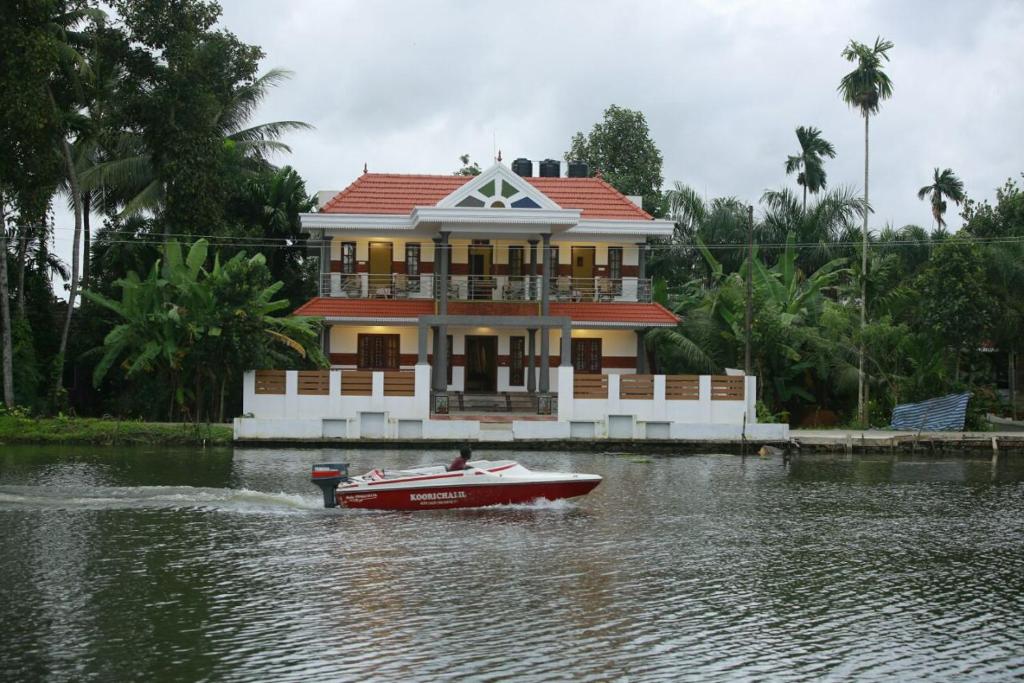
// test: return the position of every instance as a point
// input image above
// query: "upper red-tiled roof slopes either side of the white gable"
(398, 194)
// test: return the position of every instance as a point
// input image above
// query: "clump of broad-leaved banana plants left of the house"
(199, 329)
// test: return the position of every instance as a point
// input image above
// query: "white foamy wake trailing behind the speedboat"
(175, 498)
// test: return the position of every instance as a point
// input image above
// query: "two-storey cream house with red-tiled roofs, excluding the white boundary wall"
(500, 264)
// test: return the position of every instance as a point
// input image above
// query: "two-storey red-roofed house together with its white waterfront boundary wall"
(449, 300)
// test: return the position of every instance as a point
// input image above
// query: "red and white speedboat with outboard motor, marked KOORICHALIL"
(482, 484)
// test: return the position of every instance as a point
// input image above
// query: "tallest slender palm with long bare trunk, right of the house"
(865, 89)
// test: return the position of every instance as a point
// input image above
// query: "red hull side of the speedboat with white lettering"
(472, 496)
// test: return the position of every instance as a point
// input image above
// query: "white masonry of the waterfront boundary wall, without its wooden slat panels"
(291, 416)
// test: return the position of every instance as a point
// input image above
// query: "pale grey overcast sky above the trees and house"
(410, 87)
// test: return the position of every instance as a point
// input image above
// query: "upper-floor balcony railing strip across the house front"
(486, 288)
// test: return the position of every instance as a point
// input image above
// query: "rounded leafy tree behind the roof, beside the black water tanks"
(621, 150)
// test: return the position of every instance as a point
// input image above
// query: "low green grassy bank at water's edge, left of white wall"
(96, 432)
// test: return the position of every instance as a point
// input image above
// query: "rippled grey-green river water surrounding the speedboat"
(141, 565)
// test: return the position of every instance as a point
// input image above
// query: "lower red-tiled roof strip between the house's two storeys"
(639, 315)
